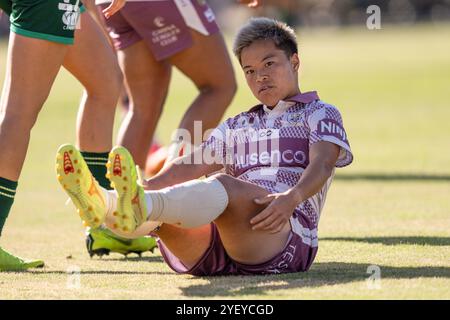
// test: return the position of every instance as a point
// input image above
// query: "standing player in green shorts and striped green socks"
(41, 38)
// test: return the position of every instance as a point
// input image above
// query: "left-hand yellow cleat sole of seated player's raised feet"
(86, 194)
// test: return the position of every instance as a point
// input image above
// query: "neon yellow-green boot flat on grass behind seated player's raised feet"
(102, 241)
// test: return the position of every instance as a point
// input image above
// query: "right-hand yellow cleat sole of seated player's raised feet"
(131, 206)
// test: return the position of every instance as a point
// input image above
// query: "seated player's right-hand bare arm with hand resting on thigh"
(323, 156)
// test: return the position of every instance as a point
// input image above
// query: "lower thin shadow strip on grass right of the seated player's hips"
(392, 241)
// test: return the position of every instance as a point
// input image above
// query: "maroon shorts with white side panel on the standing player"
(165, 26)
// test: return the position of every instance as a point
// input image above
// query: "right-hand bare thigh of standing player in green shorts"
(92, 60)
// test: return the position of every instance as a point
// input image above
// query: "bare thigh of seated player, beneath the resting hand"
(241, 242)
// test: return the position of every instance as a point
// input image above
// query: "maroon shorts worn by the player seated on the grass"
(298, 255)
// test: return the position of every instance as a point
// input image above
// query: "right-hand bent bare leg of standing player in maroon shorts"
(208, 65)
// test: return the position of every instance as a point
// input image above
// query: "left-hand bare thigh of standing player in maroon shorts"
(147, 80)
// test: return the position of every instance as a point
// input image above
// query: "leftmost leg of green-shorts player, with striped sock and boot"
(32, 66)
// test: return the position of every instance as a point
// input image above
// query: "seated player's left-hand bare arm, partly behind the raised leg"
(183, 169)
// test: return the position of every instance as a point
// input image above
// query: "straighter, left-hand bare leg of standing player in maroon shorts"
(147, 83)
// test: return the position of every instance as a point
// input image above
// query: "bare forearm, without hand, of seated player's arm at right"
(312, 181)
